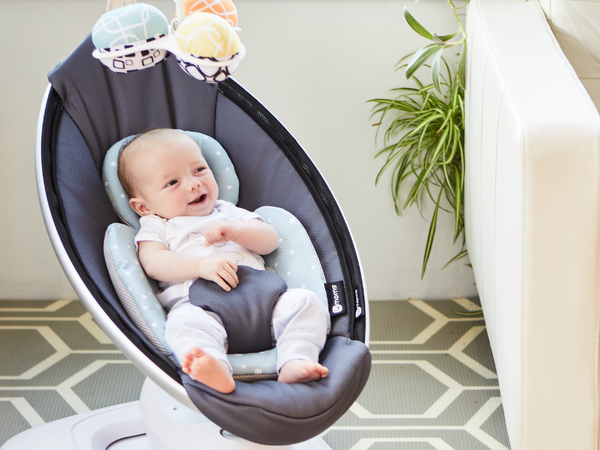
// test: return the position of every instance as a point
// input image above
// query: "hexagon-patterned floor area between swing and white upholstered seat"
(432, 386)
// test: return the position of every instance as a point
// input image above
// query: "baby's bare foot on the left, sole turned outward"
(208, 370)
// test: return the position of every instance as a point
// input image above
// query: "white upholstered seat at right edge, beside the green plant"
(533, 211)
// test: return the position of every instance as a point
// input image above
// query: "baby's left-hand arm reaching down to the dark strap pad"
(162, 264)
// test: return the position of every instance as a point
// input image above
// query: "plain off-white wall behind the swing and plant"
(313, 63)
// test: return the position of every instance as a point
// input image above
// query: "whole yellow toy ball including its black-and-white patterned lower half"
(212, 46)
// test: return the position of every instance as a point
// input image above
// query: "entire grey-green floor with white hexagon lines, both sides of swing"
(432, 386)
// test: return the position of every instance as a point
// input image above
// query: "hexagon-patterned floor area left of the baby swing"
(56, 362)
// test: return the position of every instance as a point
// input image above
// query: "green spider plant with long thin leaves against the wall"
(423, 140)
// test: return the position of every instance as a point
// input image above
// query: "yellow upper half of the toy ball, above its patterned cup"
(207, 35)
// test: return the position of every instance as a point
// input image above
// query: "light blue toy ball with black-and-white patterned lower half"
(127, 28)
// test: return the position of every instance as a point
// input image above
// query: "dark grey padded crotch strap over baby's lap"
(246, 310)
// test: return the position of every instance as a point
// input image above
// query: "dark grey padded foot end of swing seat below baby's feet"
(293, 412)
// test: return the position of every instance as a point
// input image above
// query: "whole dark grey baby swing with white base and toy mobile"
(88, 112)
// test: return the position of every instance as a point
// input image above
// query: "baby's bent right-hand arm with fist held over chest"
(255, 235)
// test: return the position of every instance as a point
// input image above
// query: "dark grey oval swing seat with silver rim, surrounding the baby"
(87, 110)
